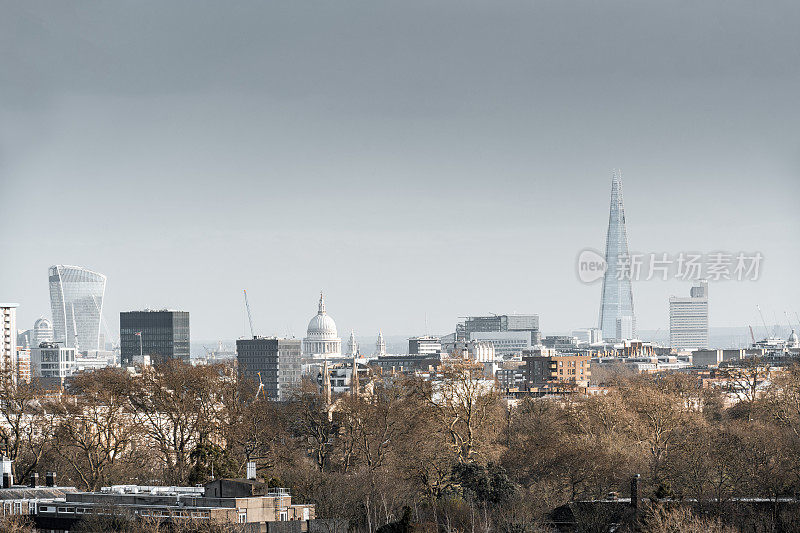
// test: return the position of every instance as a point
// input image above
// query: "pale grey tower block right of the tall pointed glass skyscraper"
(688, 318)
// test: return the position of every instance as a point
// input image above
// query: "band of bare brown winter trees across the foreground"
(446, 456)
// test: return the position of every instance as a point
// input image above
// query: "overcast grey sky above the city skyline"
(411, 159)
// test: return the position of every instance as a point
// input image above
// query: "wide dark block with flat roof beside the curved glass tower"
(160, 334)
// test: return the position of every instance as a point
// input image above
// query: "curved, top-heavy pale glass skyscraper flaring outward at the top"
(76, 298)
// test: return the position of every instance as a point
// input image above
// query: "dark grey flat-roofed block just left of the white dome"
(271, 361)
